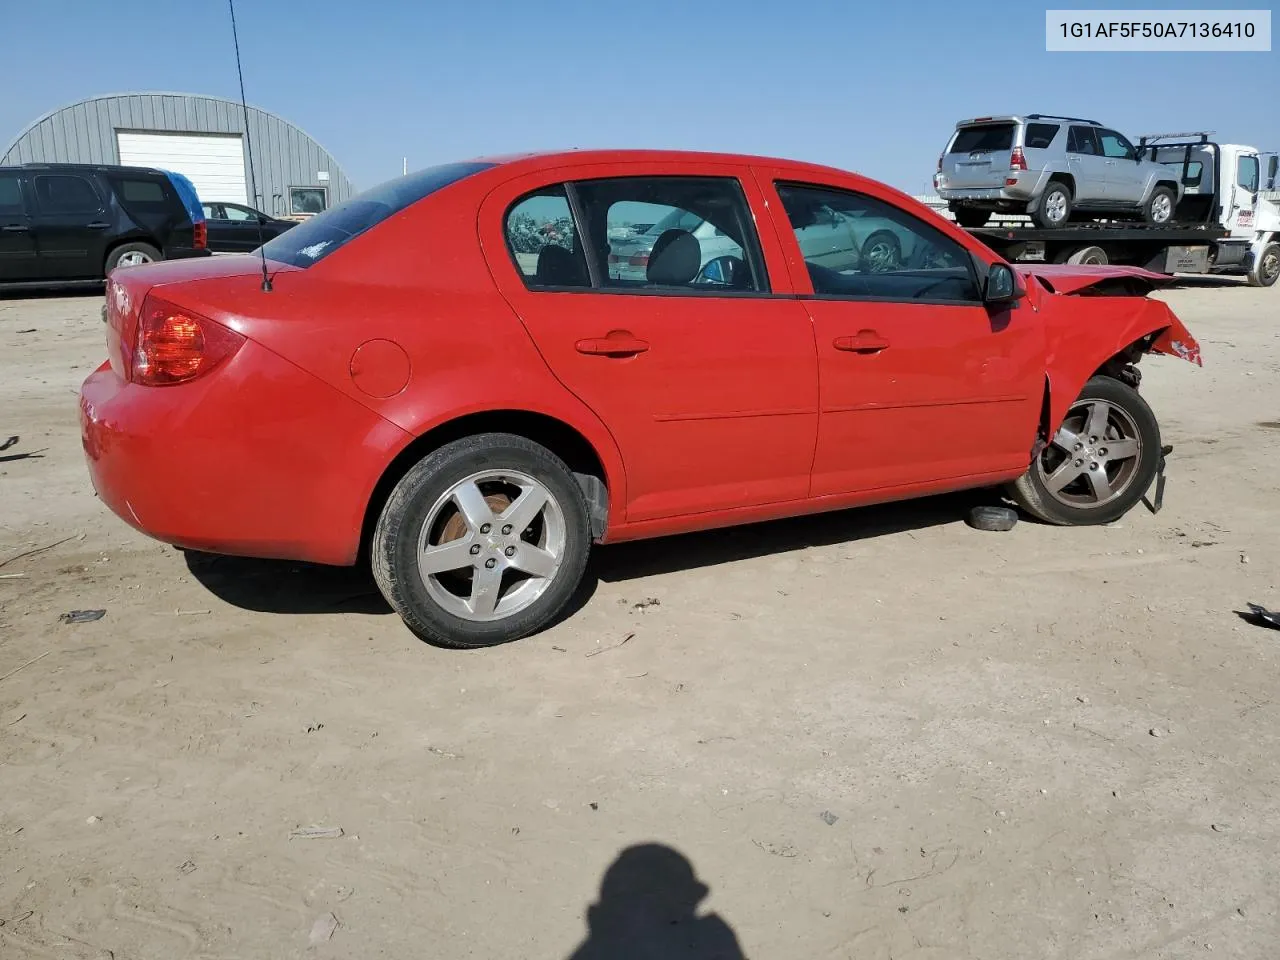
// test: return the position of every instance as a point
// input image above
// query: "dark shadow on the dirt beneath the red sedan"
(291, 588)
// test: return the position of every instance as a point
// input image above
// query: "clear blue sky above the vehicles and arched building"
(874, 88)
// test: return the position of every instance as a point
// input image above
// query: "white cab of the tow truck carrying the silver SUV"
(1231, 185)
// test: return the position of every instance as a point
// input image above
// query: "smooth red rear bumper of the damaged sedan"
(258, 459)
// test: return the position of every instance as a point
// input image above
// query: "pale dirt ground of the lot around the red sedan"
(877, 734)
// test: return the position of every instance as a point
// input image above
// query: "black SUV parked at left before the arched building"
(75, 223)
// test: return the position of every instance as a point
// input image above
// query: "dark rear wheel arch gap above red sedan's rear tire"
(601, 482)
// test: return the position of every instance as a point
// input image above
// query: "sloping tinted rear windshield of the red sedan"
(312, 241)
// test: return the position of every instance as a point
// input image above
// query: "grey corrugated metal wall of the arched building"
(85, 134)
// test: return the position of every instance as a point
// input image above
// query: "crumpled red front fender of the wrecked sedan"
(1085, 333)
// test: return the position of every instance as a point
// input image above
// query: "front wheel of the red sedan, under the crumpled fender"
(1100, 463)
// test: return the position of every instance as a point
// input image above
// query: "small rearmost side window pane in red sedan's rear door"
(545, 243)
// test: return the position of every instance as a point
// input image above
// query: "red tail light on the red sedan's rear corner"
(176, 345)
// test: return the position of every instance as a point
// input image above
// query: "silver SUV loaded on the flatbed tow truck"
(1050, 168)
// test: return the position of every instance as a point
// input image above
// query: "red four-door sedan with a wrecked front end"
(444, 372)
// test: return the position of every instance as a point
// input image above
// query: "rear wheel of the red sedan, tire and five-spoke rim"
(483, 542)
